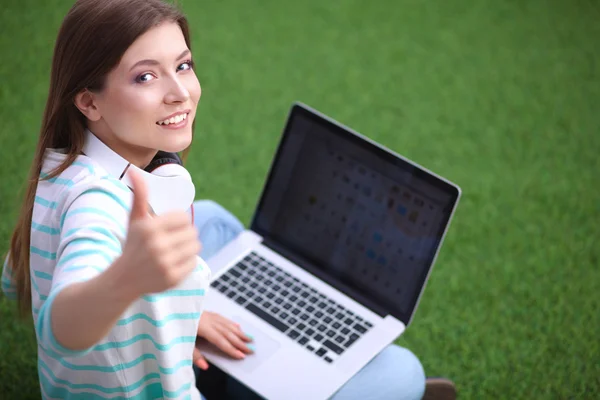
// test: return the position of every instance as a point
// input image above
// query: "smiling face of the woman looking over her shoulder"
(149, 100)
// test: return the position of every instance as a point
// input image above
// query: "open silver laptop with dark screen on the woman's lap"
(336, 258)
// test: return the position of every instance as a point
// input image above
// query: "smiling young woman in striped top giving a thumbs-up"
(115, 292)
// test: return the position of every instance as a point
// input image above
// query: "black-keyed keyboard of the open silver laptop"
(305, 315)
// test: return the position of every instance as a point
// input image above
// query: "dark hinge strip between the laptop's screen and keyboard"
(333, 281)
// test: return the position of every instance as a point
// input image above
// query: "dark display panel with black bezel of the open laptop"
(364, 217)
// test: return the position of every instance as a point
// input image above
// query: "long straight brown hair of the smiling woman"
(91, 41)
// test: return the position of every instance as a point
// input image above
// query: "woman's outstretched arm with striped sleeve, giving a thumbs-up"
(95, 282)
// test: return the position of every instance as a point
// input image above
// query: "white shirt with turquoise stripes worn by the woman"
(78, 228)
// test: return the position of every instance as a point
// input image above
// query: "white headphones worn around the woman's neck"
(170, 186)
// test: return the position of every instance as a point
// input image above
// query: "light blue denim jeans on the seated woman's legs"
(395, 373)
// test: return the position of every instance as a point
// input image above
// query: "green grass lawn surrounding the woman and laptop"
(501, 97)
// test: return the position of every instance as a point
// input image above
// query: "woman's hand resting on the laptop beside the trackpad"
(223, 333)
